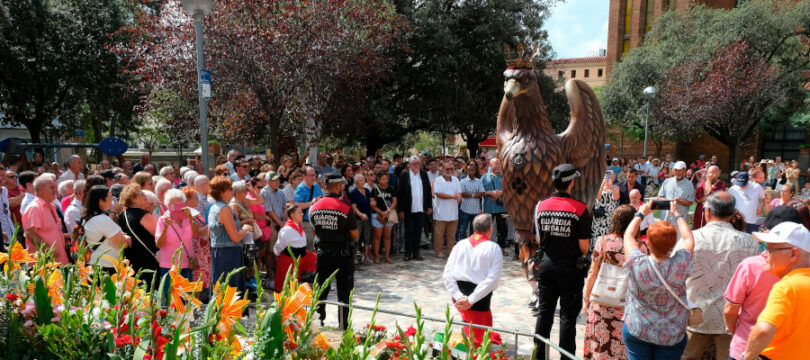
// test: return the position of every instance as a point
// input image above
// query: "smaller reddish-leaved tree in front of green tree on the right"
(725, 96)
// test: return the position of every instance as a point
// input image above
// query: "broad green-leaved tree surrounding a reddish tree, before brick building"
(772, 31)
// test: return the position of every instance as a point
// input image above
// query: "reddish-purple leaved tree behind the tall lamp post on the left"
(272, 61)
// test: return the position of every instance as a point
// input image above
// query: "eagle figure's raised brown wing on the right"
(583, 142)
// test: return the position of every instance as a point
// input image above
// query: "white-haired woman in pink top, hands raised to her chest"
(174, 232)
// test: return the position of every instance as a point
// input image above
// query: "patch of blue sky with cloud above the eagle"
(578, 28)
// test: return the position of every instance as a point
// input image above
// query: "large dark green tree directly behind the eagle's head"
(447, 77)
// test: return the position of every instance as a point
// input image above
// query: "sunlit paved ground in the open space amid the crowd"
(403, 283)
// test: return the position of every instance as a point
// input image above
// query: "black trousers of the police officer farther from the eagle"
(327, 264)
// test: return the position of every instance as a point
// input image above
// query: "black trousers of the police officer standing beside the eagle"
(561, 282)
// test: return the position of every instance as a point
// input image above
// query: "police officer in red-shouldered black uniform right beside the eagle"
(563, 233)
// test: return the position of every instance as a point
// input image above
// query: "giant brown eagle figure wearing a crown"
(529, 149)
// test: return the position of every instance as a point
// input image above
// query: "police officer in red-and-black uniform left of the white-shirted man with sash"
(335, 227)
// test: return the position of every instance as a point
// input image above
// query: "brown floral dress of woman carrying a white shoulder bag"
(603, 330)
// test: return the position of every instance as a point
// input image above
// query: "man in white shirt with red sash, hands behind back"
(472, 273)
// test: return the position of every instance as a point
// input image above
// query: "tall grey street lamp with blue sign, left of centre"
(198, 9)
